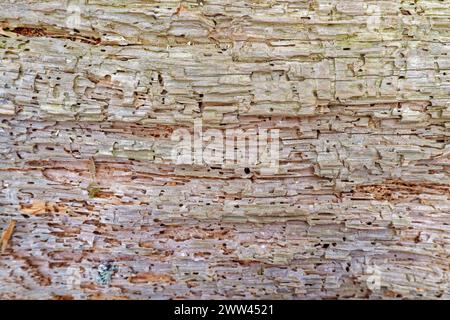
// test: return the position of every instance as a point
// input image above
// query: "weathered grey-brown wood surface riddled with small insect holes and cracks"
(358, 89)
